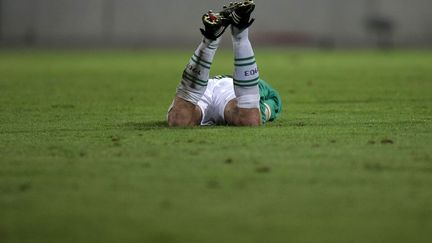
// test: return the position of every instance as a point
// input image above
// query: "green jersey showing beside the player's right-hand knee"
(271, 98)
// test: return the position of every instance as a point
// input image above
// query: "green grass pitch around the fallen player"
(86, 156)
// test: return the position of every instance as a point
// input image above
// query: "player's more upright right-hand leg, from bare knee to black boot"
(246, 74)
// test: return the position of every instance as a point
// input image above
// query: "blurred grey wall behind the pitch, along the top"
(173, 23)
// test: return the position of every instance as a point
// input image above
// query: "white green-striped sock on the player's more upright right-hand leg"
(246, 74)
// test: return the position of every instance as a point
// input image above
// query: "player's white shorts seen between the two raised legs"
(212, 104)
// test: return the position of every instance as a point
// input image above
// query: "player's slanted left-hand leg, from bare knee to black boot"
(185, 111)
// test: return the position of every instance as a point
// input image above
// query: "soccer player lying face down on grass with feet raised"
(243, 99)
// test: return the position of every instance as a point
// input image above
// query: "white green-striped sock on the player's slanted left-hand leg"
(196, 75)
